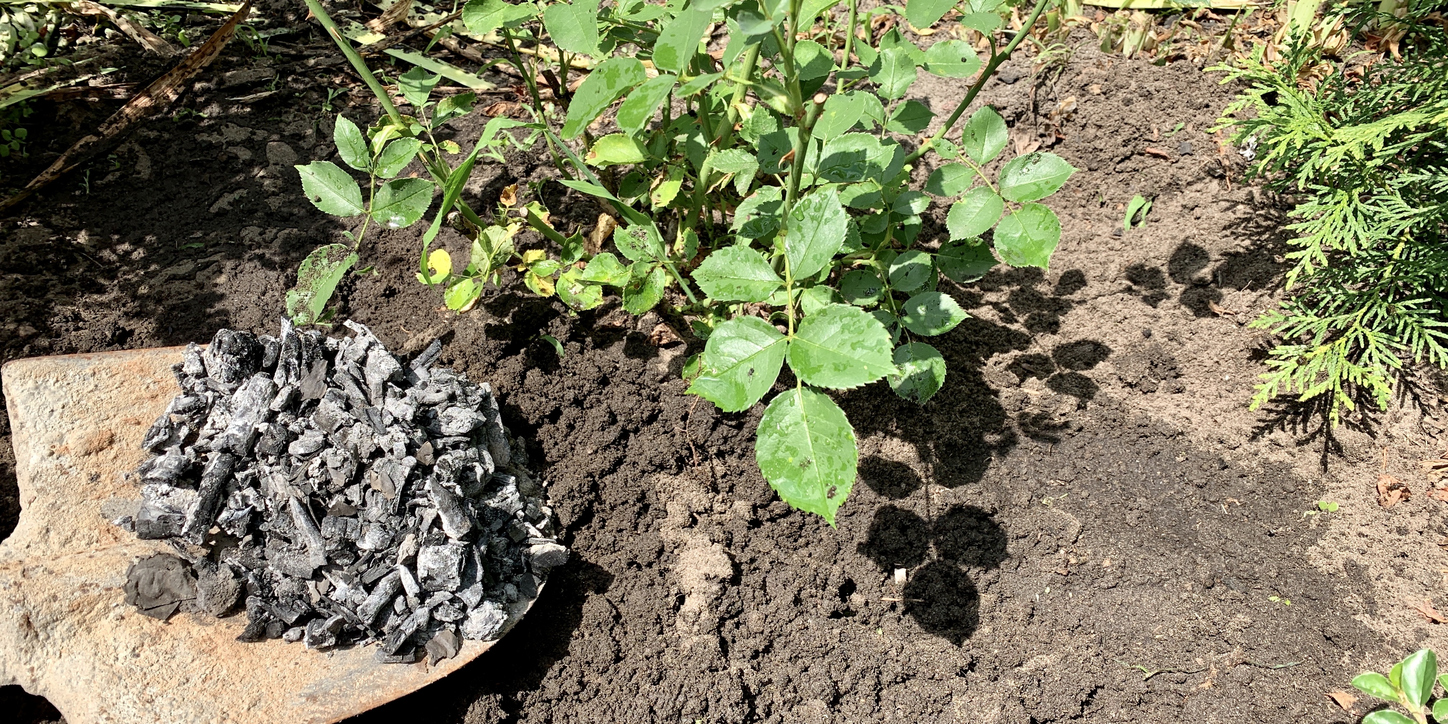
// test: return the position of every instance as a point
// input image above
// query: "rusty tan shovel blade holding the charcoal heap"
(66, 631)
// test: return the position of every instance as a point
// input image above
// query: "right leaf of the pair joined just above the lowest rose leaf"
(841, 348)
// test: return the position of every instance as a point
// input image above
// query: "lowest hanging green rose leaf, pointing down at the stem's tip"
(806, 450)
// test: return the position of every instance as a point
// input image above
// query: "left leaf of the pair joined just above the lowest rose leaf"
(741, 364)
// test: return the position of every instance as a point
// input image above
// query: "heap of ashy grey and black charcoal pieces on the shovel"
(341, 497)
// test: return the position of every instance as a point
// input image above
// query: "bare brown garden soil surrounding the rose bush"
(1093, 525)
